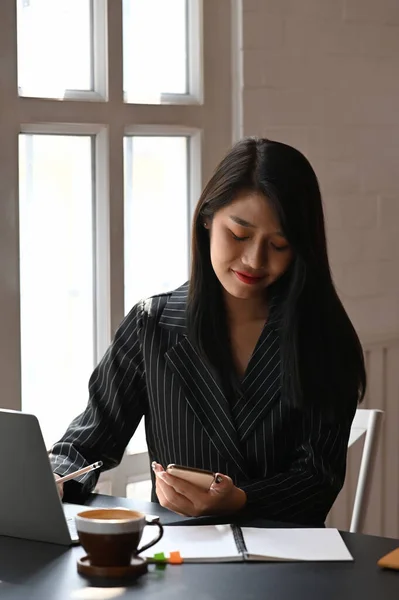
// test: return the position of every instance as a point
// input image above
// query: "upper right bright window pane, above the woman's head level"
(154, 49)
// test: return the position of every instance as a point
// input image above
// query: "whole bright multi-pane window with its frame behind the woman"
(104, 140)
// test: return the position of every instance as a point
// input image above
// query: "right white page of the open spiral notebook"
(296, 544)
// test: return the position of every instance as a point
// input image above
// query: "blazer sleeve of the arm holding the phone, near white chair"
(306, 491)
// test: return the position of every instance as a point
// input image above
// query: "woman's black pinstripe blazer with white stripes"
(290, 462)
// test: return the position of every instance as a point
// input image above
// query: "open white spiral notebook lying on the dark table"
(230, 543)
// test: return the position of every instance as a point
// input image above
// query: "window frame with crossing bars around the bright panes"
(206, 115)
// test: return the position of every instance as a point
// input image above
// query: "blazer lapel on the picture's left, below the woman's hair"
(202, 390)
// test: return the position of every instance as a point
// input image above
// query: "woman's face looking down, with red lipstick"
(248, 248)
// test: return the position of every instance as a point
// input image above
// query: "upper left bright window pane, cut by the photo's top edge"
(54, 47)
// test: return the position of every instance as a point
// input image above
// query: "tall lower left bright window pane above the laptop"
(56, 263)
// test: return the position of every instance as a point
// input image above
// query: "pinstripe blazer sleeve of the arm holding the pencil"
(117, 400)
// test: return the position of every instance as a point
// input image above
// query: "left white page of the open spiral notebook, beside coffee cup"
(200, 543)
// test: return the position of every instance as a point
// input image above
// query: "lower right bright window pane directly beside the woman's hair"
(156, 223)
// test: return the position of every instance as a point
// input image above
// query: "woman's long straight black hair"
(321, 355)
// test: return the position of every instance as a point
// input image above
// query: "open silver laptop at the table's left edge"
(30, 506)
